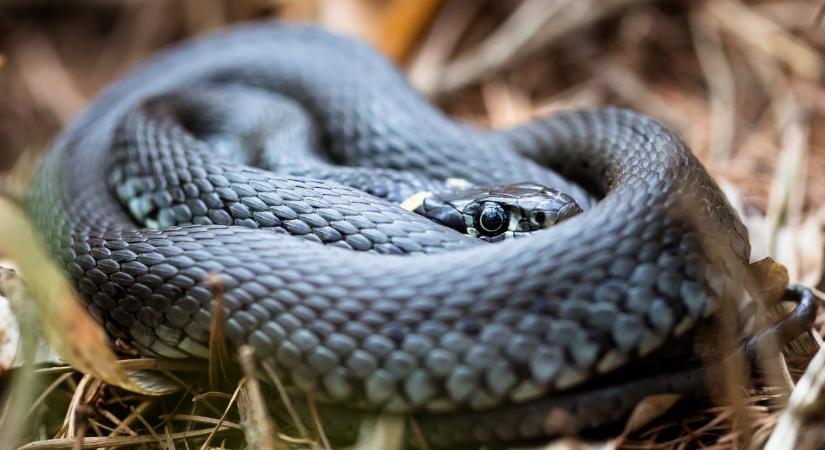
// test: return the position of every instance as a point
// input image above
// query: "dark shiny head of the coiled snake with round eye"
(500, 212)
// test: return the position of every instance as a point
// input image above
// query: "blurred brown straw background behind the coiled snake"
(740, 80)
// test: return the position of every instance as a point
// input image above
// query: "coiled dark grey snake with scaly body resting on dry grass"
(553, 275)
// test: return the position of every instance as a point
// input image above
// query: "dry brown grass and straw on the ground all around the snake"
(740, 80)
